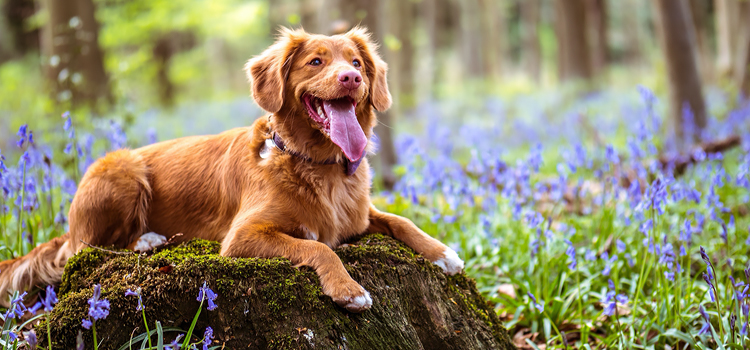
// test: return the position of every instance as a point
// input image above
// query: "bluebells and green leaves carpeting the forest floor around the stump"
(568, 213)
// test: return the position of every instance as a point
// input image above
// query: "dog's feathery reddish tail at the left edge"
(42, 266)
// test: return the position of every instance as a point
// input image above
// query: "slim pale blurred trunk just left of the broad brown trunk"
(531, 52)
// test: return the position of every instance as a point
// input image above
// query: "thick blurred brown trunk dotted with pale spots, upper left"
(73, 58)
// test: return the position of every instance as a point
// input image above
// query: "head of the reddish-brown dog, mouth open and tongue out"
(321, 90)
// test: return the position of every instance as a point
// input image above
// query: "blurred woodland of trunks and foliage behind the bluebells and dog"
(174, 67)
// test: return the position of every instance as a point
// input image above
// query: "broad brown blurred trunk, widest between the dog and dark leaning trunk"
(572, 40)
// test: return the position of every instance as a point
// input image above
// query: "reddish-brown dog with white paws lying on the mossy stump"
(294, 184)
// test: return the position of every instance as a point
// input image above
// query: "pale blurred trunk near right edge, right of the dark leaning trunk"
(727, 20)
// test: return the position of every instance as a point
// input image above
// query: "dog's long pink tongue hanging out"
(345, 130)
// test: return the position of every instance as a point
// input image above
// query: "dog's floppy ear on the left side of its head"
(268, 71)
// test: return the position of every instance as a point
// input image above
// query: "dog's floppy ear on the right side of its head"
(375, 68)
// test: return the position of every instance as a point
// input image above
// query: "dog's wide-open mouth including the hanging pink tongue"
(338, 121)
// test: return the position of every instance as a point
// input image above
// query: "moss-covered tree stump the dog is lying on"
(269, 304)
